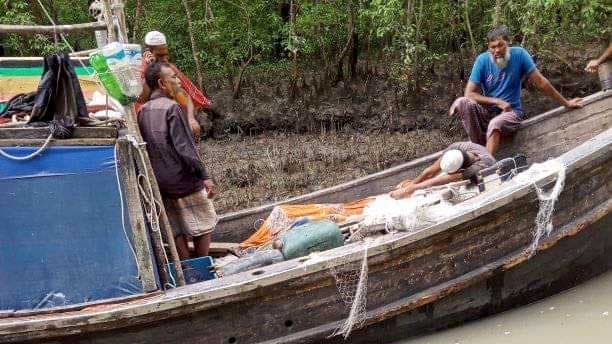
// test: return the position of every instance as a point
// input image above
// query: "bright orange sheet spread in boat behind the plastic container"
(283, 216)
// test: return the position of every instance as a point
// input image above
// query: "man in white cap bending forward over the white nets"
(461, 160)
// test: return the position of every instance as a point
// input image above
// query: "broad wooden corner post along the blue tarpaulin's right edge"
(140, 240)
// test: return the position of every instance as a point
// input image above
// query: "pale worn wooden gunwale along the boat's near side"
(235, 287)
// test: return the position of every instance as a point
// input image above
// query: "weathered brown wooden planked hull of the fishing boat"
(469, 265)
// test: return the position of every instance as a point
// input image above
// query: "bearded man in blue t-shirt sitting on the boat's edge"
(491, 106)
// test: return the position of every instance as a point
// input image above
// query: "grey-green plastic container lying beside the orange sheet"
(311, 237)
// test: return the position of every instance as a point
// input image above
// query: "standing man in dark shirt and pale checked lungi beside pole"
(187, 189)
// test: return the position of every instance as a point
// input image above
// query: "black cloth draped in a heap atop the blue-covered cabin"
(59, 100)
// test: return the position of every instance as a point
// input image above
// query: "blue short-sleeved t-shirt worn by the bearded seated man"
(503, 83)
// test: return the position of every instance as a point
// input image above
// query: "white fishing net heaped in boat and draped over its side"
(421, 211)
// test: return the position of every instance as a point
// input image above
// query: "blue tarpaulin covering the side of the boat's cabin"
(61, 235)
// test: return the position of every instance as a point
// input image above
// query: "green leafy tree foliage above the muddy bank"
(410, 34)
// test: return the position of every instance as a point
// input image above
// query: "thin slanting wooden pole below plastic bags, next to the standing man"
(166, 230)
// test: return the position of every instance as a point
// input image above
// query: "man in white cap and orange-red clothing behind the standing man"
(156, 50)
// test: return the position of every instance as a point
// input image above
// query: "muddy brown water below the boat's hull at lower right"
(580, 315)
